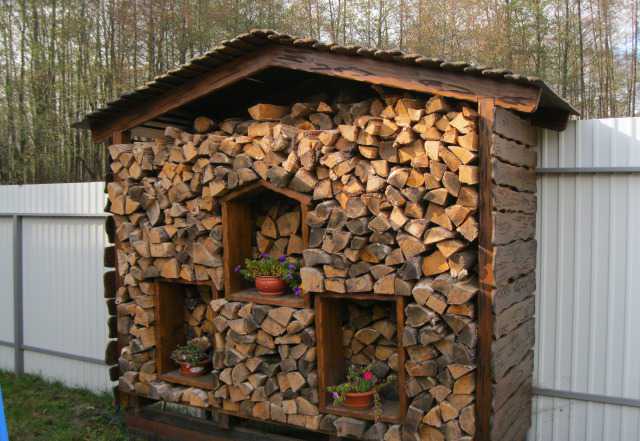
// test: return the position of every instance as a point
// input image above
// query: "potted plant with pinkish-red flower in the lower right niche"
(360, 391)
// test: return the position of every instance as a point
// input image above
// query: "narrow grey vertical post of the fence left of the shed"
(18, 328)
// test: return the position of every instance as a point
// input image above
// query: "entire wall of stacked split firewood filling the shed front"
(394, 187)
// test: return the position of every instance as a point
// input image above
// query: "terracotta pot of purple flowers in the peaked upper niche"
(272, 276)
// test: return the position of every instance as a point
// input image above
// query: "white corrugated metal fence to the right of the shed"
(588, 283)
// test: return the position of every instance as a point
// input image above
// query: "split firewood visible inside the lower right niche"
(369, 338)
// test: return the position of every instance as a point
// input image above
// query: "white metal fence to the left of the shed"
(63, 307)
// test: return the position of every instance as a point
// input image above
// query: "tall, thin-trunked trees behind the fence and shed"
(61, 60)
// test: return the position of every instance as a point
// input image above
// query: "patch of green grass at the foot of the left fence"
(40, 410)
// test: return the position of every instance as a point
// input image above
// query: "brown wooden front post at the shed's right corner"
(486, 110)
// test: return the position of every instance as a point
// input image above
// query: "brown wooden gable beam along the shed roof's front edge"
(459, 85)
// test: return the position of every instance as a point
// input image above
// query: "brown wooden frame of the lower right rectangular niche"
(331, 362)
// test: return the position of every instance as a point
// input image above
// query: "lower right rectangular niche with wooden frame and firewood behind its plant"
(361, 332)
